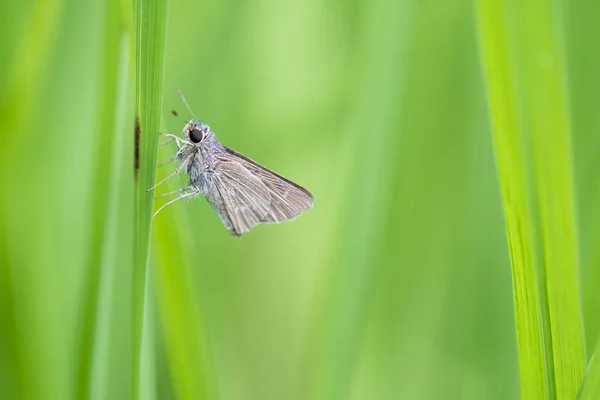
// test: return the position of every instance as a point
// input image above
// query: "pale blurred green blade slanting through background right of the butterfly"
(348, 290)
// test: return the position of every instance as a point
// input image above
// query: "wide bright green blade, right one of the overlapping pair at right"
(547, 115)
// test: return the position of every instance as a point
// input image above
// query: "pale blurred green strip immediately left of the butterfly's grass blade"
(112, 345)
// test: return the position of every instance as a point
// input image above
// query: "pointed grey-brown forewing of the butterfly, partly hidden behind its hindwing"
(287, 199)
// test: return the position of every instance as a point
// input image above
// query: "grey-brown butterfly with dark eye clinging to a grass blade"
(241, 191)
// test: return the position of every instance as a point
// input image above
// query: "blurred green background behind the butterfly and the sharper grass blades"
(396, 285)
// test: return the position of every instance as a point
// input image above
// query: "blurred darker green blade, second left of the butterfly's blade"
(110, 137)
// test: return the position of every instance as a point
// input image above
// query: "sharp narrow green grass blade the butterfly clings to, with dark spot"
(150, 47)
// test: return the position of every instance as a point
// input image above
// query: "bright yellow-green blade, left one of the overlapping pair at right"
(510, 160)
